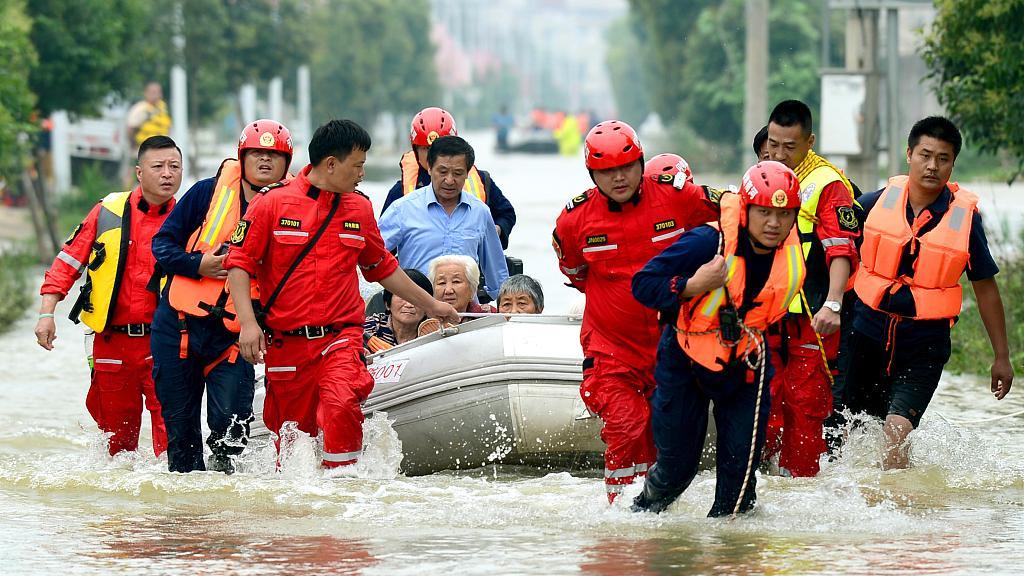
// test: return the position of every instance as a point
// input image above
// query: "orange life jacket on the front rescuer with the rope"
(698, 326)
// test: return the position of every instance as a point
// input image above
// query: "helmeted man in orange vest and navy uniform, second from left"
(194, 331)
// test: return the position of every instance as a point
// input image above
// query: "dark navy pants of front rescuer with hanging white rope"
(679, 420)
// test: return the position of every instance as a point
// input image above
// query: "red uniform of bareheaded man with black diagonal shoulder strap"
(315, 371)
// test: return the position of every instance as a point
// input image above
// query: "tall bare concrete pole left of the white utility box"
(756, 101)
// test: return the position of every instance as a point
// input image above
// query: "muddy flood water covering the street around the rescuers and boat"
(67, 508)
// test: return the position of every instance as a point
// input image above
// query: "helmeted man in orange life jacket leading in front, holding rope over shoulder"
(720, 287)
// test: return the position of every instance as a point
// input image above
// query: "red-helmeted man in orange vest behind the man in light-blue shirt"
(429, 126)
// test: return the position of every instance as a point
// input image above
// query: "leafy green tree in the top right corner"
(978, 69)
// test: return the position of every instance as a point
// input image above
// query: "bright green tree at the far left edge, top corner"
(18, 58)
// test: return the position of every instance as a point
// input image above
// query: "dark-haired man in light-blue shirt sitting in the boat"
(442, 219)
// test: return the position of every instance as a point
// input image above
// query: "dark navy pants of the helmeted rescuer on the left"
(181, 384)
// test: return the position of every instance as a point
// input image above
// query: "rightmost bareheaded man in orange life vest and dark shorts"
(922, 233)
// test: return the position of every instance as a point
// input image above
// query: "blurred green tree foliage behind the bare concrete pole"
(697, 51)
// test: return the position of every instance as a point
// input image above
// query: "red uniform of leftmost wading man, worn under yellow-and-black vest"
(122, 375)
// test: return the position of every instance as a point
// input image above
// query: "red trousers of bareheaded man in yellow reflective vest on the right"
(801, 396)
